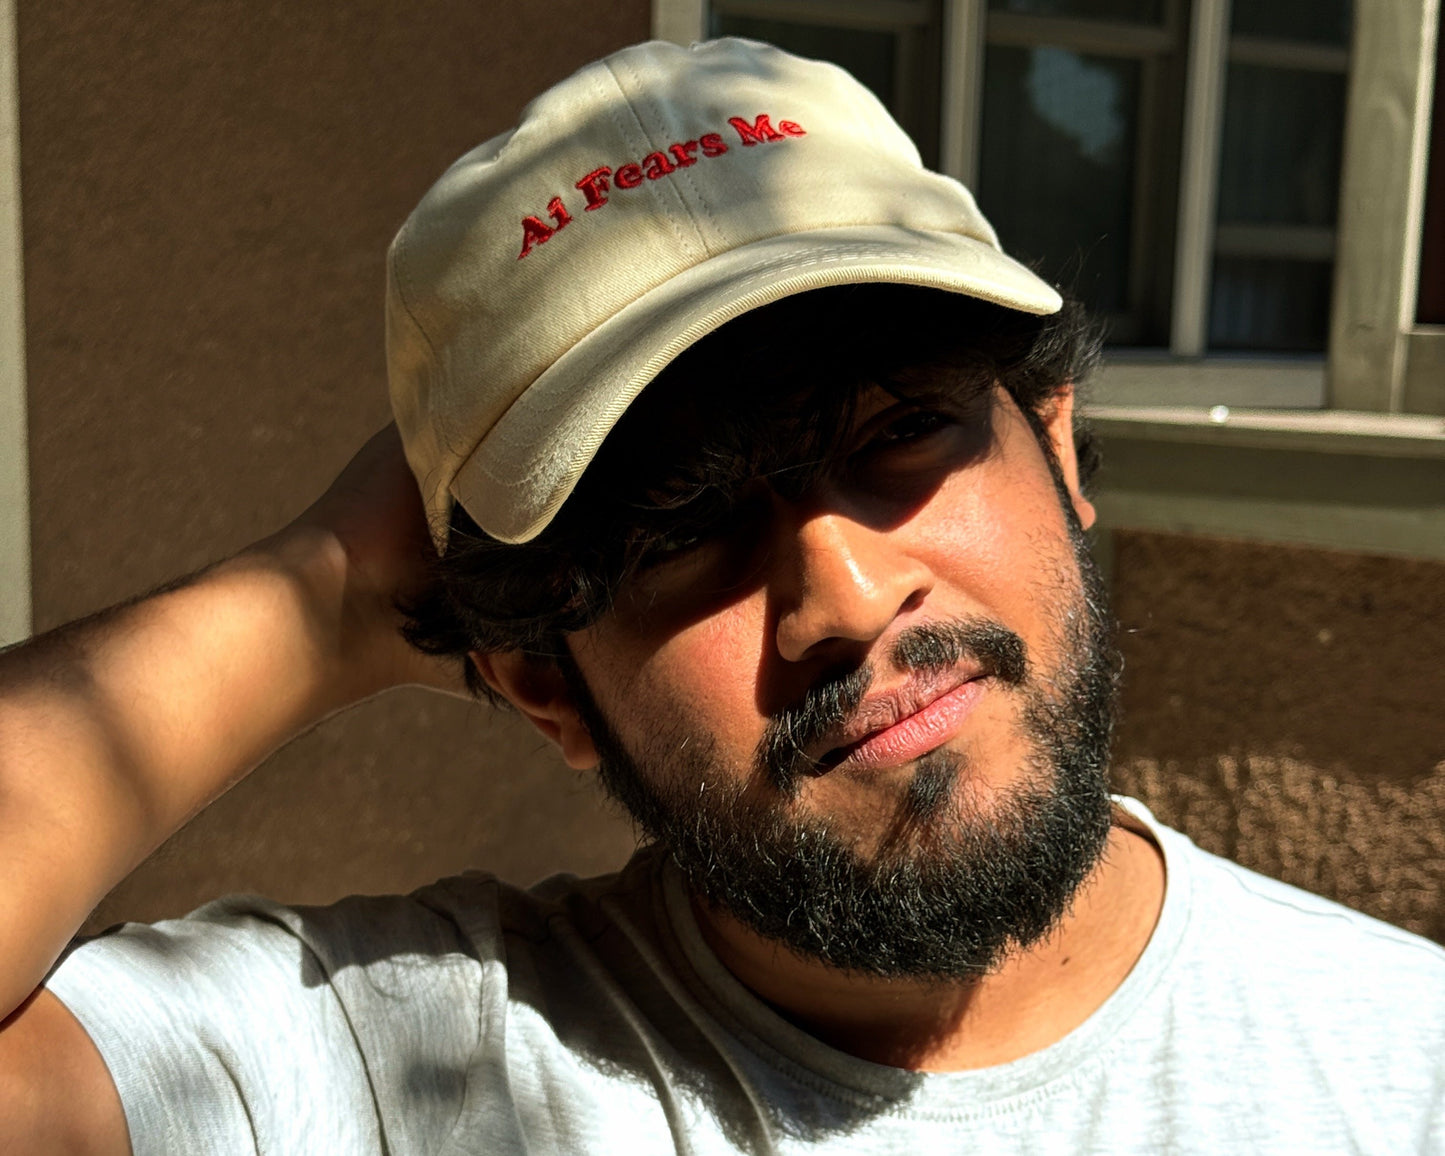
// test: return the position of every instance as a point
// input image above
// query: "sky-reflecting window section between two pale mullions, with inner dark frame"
(1079, 150)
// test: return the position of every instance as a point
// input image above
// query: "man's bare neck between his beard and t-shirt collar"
(1037, 998)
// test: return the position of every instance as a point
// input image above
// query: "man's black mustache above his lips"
(930, 648)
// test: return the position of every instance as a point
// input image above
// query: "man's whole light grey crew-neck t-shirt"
(592, 1018)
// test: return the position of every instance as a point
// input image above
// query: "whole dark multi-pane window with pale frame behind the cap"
(1178, 164)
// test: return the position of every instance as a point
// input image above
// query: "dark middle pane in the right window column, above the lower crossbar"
(1284, 131)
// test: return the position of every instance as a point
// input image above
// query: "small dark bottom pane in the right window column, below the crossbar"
(1278, 306)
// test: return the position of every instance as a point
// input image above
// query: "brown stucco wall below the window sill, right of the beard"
(1284, 707)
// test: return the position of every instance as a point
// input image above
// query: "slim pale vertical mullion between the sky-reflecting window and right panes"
(1200, 176)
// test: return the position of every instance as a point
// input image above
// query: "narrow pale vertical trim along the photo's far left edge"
(15, 460)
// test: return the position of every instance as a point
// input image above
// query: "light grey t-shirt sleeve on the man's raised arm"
(249, 1027)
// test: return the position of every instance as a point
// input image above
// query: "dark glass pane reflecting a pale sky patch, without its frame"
(1057, 165)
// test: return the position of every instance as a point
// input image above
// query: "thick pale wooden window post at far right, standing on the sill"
(1382, 202)
